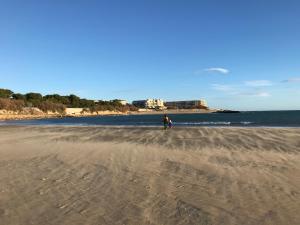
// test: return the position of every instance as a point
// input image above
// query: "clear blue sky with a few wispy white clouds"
(242, 55)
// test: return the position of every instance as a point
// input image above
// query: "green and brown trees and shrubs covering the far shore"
(57, 103)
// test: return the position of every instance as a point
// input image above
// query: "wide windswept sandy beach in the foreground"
(128, 175)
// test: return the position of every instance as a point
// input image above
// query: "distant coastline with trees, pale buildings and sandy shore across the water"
(16, 106)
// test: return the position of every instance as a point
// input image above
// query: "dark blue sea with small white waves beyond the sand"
(243, 119)
